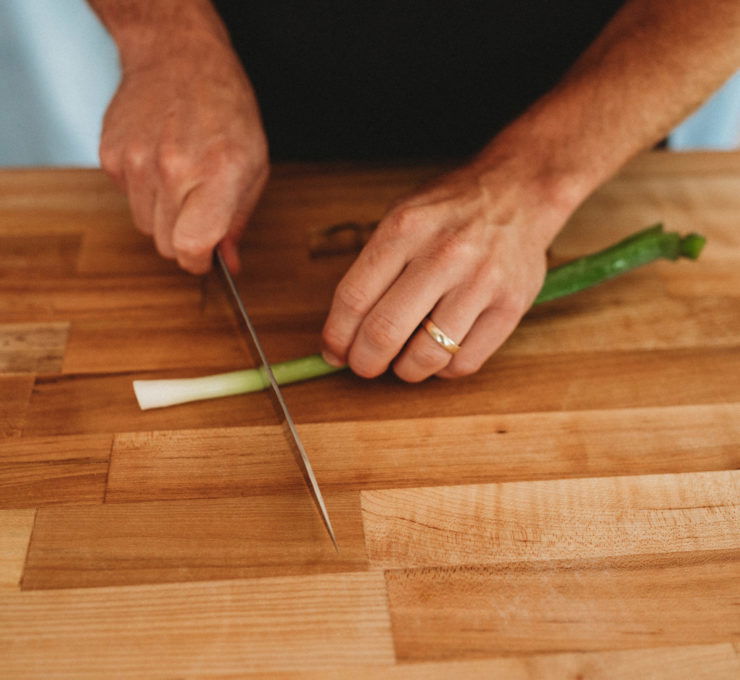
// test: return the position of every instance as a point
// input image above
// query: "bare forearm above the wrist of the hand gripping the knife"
(147, 31)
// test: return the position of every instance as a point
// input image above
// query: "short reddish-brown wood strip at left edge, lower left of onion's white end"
(51, 470)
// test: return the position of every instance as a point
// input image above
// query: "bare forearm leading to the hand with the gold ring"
(651, 66)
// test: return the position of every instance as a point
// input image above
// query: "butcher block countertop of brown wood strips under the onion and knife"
(571, 511)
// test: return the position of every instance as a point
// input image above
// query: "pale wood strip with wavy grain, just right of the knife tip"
(552, 520)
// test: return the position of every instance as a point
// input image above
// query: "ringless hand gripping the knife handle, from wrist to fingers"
(184, 140)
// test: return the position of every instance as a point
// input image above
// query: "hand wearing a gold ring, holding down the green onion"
(468, 251)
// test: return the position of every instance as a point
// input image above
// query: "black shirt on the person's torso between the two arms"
(345, 79)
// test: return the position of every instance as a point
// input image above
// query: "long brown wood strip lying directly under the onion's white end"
(95, 403)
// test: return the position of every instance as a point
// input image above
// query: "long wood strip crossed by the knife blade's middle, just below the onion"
(240, 461)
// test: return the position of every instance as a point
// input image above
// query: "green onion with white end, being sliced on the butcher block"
(641, 248)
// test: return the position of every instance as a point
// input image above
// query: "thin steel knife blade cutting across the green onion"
(279, 404)
